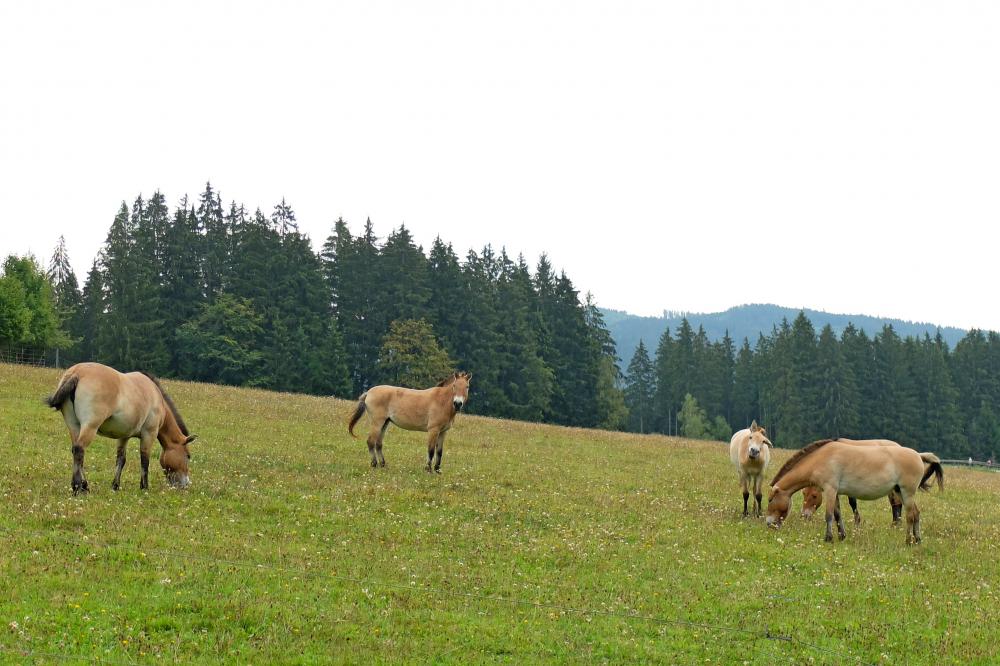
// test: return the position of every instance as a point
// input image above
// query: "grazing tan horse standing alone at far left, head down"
(97, 400)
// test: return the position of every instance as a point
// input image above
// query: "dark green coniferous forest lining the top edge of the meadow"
(220, 294)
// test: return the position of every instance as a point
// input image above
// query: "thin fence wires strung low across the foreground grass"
(745, 633)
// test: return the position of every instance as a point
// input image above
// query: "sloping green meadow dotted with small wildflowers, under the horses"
(537, 544)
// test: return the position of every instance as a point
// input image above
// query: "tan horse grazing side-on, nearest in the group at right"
(863, 472)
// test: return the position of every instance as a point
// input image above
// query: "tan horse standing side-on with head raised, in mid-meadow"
(429, 410)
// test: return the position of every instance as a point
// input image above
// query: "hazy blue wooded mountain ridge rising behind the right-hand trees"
(749, 321)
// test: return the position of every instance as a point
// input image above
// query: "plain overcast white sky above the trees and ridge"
(684, 155)
